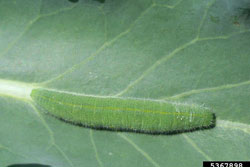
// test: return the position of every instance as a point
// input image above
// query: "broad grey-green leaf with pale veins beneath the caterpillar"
(192, 51)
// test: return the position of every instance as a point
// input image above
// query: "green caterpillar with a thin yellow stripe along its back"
(123, 114)
